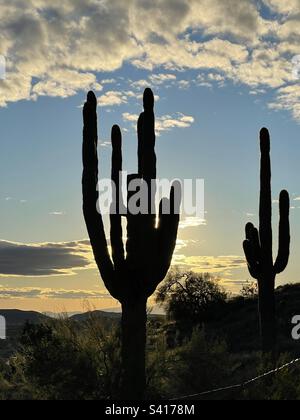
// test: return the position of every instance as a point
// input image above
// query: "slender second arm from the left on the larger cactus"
(116, 232)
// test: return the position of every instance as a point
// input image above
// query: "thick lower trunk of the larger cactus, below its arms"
(134, 318)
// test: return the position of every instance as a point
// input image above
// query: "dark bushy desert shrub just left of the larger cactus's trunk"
(66, 360)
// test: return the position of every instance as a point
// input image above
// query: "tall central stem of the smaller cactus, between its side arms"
(265, 211)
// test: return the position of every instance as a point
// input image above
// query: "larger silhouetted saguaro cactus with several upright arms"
(130, 277)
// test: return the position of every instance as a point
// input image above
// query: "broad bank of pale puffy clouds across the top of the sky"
(59, 48)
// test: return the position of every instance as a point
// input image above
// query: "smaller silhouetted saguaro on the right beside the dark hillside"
(258, 247)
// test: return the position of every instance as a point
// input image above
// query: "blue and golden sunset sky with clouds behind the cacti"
(220, 72)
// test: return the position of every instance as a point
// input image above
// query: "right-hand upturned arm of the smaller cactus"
(284, 233)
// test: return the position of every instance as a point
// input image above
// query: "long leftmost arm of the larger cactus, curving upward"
(93, 219)
